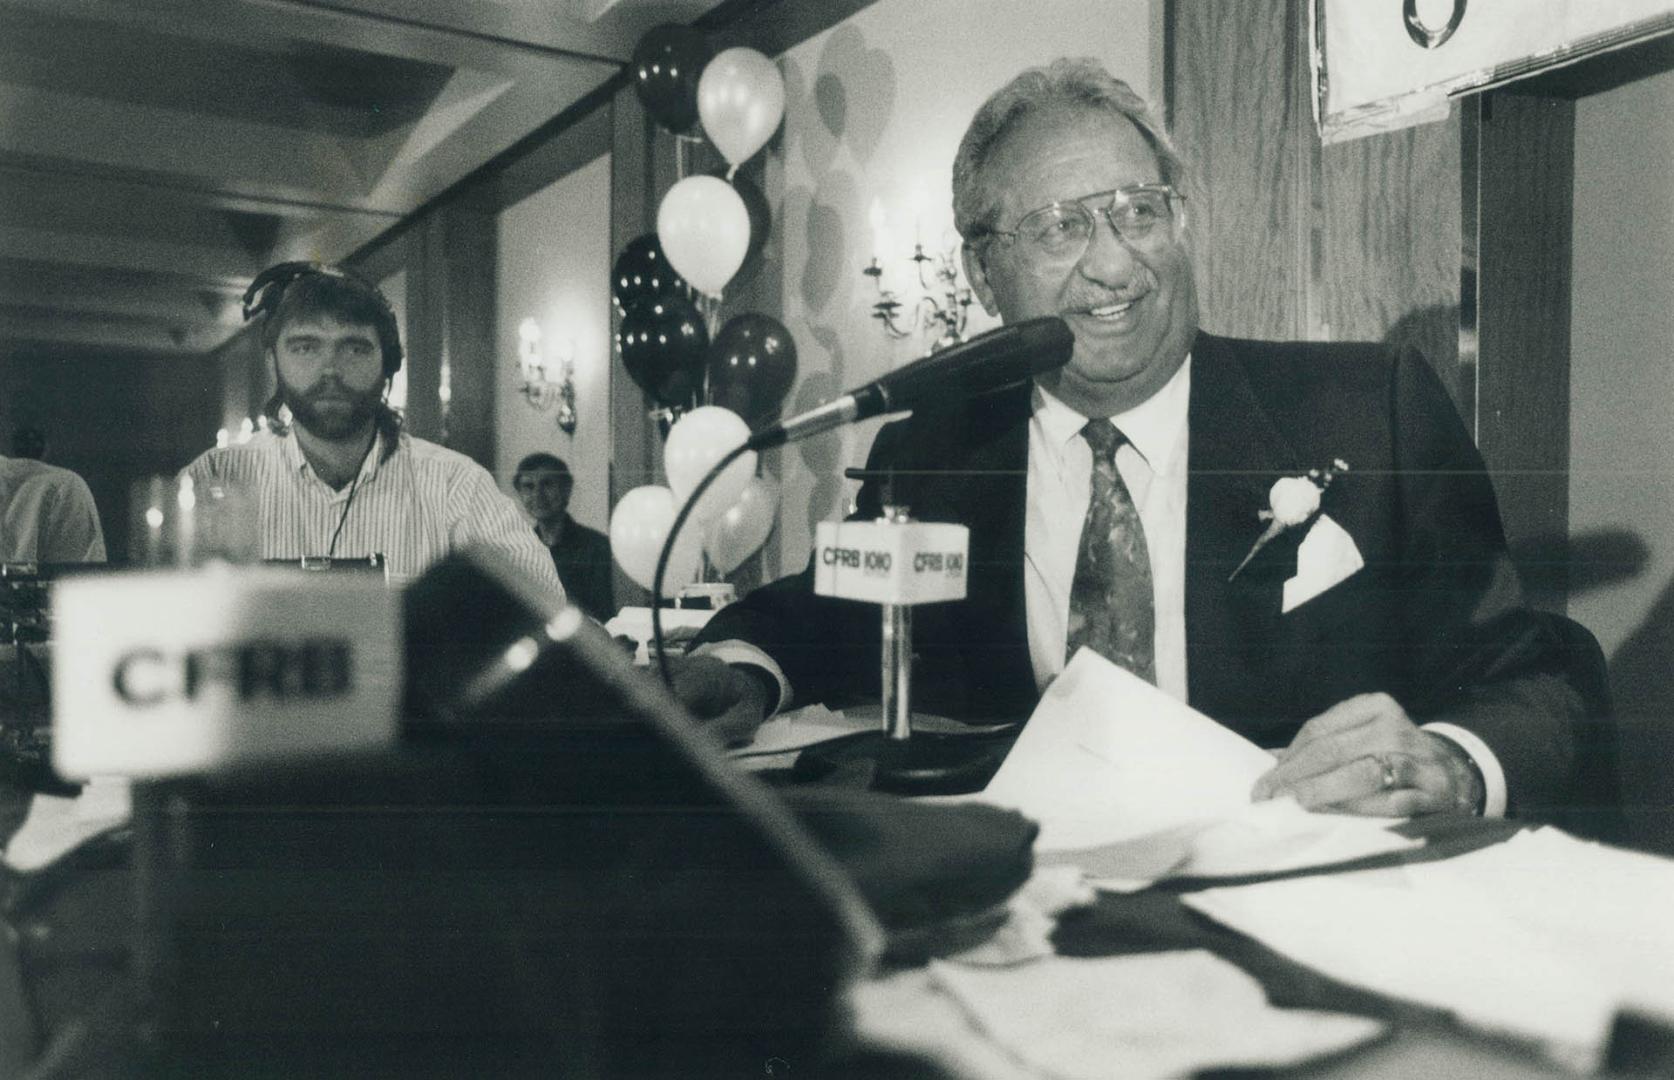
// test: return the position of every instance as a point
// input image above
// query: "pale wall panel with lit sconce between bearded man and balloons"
(555, 265)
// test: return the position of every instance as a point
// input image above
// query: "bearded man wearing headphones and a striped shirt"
(341, 478)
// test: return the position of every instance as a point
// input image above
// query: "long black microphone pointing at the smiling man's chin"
(987, 363)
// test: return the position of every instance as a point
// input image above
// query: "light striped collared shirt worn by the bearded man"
(421, 505)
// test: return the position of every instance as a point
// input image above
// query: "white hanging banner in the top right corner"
(1387, 64)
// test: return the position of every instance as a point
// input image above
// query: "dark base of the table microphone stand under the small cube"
(923, 764)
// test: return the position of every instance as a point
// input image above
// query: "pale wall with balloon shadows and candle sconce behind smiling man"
(875, 110)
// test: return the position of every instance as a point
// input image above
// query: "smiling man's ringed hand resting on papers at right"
(1365, 756)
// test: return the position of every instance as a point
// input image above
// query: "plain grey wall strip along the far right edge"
(1621, 431)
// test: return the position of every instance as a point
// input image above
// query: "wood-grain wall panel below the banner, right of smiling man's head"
(1293, 239)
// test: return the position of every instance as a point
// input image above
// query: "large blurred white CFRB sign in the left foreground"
(178, 672)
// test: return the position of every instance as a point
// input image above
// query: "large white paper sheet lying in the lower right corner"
(1543, 937)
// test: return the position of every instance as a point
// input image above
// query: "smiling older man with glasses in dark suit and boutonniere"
(1298, 540)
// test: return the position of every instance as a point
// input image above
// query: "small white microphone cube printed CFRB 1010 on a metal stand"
(890, 562)
